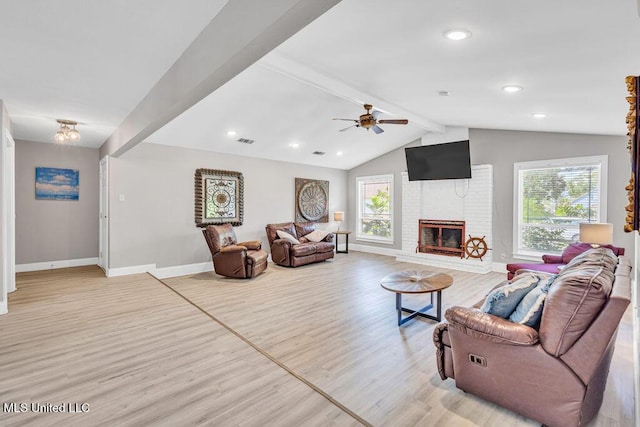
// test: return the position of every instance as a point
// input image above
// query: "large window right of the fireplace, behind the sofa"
(552, 197)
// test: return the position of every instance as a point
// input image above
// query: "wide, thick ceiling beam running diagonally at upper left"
(240, 34)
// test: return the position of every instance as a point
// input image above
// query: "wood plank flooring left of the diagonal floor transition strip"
(138, 354)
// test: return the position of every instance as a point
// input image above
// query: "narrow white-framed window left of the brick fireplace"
(374, 209)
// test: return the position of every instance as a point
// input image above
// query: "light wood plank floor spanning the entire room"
(314, 345)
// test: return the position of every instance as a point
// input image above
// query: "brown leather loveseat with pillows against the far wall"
(288, 254)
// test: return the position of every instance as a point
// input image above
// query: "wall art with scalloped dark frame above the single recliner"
(219, 197)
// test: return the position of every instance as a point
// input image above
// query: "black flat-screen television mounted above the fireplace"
(451, 160)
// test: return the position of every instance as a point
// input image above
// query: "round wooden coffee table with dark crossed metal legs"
(417, 282)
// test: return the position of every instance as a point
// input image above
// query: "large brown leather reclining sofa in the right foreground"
(556, 373)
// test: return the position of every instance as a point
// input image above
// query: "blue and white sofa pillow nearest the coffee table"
(503, 300)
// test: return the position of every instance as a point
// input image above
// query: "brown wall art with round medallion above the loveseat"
(312, 200)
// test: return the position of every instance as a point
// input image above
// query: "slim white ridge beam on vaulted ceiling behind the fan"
(279, 63)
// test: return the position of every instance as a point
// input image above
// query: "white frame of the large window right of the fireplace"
(521, 253)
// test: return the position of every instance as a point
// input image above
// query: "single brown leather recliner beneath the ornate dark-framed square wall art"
(232, 259)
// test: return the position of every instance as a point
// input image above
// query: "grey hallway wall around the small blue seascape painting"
(49, 231)
